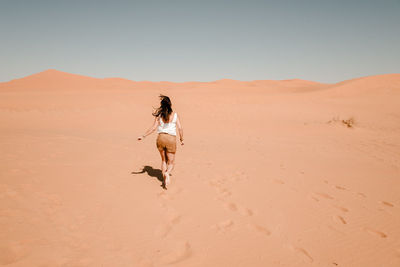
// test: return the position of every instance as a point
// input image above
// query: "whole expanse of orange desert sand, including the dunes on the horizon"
(272, 173)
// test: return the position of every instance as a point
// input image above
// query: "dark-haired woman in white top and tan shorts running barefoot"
(166, 122)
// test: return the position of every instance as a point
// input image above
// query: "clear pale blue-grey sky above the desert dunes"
(320, 40)
